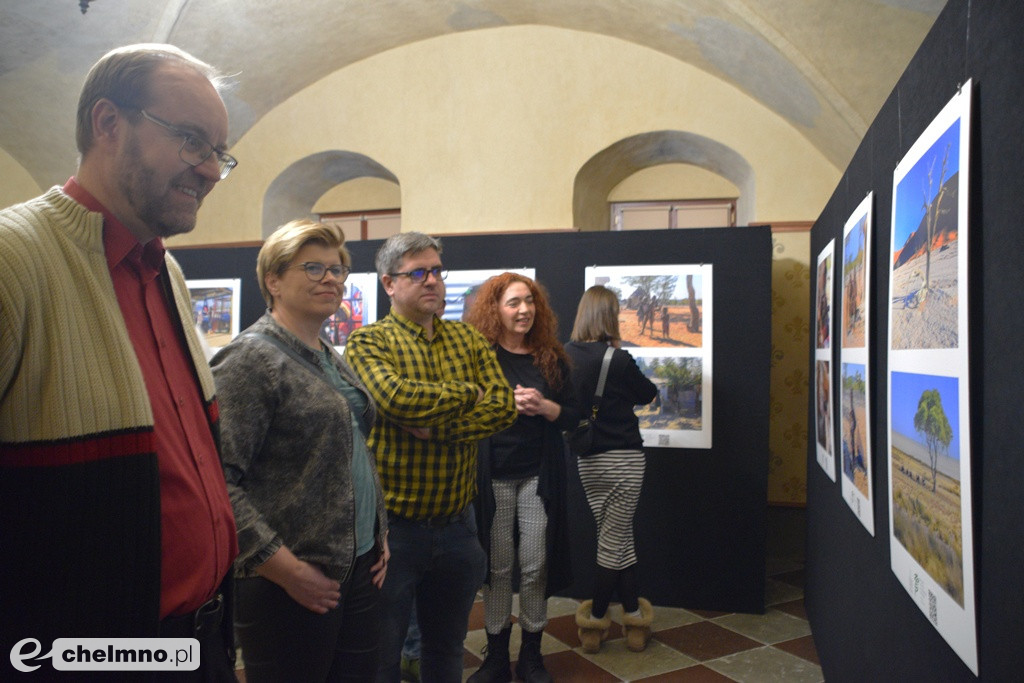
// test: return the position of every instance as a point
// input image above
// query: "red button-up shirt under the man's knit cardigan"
(198, 536)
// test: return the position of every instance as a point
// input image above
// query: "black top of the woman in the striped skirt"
(617, 426)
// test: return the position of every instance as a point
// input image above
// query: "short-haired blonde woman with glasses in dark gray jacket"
(309, 504)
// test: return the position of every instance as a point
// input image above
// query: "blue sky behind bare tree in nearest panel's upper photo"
(910, 192)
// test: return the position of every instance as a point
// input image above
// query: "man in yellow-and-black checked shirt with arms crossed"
(439, 390)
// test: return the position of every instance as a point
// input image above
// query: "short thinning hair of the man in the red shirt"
(124, 75)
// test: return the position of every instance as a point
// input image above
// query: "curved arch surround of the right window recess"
(608, 168)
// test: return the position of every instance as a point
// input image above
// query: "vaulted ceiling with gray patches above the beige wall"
(826, 66)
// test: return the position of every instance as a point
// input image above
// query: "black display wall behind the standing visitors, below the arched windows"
(701, 525)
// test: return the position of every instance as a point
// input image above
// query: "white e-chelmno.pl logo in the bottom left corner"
(109, 655)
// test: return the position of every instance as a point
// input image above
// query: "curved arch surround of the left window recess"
(294, 192)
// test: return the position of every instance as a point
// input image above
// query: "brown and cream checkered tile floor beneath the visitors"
(690, 646)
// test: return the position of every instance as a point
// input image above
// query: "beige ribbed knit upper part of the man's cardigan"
(68, 368)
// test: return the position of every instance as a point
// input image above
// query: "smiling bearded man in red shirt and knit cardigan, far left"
(114, 513)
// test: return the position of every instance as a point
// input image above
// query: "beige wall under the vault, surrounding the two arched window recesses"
(486, 131)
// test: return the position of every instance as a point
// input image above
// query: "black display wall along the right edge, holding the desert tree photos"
(866, 626)
